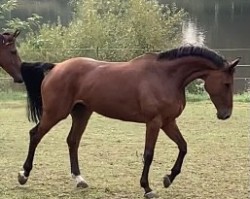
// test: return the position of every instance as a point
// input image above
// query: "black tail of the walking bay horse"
(33, 75)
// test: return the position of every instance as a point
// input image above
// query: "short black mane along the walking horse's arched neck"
(190, 50)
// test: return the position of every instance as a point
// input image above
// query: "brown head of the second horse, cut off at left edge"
(9, 57)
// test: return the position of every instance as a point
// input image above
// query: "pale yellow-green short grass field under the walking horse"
(216, 166)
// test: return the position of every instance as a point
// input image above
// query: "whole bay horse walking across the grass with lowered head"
(148, 89)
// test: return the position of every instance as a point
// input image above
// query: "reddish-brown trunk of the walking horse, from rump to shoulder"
(135, 88)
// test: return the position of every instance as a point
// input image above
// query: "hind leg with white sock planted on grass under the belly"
(80, 116)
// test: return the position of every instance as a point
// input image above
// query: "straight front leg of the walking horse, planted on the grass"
(152, 131)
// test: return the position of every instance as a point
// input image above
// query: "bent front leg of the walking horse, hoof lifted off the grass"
(173, 132)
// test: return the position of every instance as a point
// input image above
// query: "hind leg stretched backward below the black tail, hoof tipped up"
(36, 134)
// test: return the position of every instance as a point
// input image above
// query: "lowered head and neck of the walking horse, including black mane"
(214, 69)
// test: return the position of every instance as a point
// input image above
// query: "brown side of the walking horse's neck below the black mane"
(186, 70)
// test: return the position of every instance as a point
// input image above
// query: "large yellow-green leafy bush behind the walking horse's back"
(112, 30)
